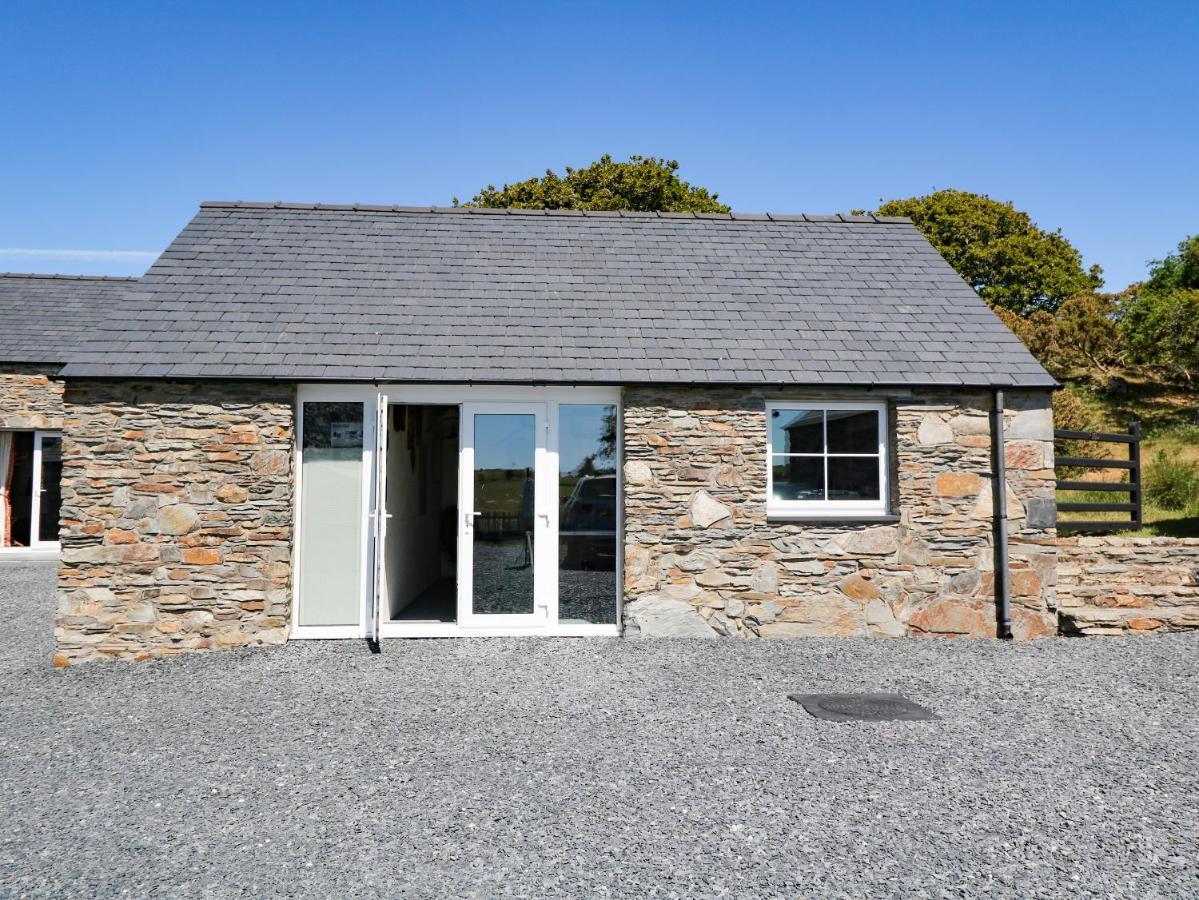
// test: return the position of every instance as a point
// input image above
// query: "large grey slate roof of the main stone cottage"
(419, 294)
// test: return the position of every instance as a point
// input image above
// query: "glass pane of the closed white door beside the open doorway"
(504, 514)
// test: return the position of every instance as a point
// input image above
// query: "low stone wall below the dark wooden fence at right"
(1123, 585)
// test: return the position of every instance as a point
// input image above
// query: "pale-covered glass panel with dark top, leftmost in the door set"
(332, 543)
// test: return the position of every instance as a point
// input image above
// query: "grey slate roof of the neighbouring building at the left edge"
(46, 318)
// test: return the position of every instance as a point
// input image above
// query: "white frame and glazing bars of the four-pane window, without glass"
(829, 509)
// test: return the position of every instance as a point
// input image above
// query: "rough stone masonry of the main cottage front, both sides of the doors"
(178, 505)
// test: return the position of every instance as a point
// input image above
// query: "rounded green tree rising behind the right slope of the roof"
(999, 251)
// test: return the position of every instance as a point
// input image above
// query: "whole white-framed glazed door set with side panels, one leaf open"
(537, 511)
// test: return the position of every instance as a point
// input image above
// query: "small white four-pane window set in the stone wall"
(827, 460)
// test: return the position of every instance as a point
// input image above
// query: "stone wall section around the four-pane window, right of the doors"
(697, 534)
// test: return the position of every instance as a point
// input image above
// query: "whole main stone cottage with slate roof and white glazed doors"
(312, 421)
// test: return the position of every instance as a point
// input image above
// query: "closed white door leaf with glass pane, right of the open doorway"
(508, 555)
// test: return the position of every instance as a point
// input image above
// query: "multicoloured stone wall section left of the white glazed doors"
(177, 518)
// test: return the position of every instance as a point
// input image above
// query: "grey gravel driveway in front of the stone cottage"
(595, 768)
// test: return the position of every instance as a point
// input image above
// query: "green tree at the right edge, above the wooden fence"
(1160, 317)
